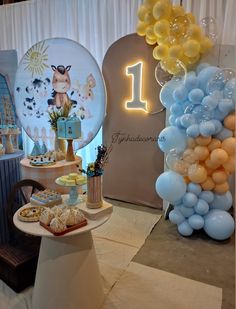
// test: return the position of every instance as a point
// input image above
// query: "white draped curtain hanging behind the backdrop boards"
(96, 24)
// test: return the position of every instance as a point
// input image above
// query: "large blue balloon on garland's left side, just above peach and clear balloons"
(172, 138)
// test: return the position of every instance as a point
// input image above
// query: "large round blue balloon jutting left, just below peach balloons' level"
(170, 186)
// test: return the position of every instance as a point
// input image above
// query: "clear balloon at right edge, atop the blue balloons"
(219, 80)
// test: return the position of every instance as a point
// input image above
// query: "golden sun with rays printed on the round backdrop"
(35, 59)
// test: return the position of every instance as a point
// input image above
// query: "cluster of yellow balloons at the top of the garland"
(174, 32)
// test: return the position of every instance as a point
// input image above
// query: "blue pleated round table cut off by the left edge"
(9, 175)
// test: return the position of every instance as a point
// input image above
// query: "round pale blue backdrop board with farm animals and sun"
(49, 72)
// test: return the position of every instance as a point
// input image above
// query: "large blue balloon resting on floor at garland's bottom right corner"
(218, 224)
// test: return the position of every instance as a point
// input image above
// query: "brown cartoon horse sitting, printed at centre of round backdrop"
(61, 84)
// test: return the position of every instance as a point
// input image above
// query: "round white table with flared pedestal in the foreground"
(67, 274)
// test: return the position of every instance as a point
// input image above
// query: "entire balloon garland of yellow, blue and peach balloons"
(200, 141)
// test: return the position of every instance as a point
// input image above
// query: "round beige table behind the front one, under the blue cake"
(46, 175)
